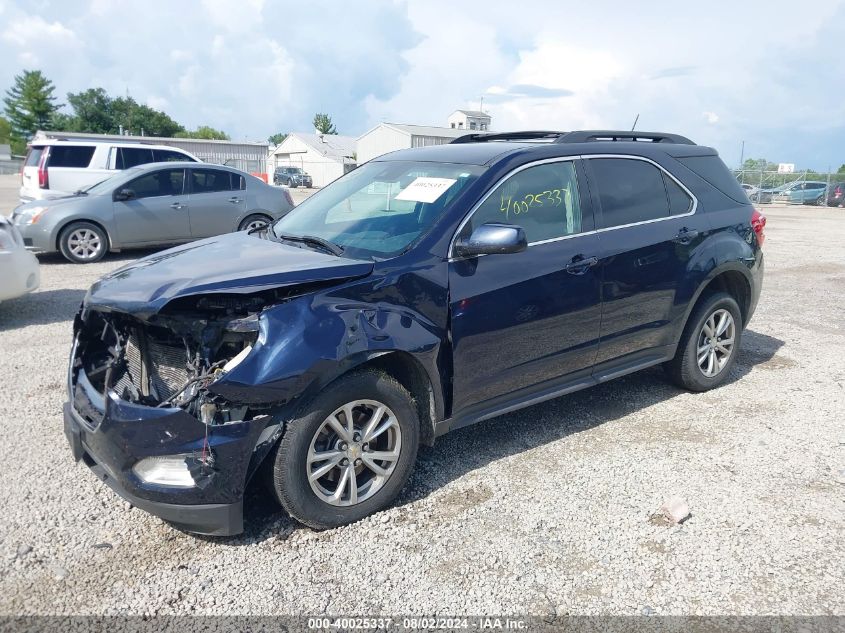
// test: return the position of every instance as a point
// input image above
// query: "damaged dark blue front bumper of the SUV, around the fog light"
(111, 436)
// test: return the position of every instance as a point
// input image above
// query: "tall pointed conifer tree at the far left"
(30, 104)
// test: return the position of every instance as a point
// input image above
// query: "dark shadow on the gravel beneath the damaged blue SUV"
(473, 447)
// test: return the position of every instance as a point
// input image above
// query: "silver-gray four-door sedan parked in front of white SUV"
(159, 203)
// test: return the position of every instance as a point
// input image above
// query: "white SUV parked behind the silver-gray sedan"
(55, 168)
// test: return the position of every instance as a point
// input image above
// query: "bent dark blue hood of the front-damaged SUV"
(231, 263)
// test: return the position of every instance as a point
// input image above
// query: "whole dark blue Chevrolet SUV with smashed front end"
(427, 290)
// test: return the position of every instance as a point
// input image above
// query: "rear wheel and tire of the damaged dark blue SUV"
(706, 352)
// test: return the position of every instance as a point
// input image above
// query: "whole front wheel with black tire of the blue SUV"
(349, 452)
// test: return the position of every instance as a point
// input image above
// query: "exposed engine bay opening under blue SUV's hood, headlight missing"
(172, 358)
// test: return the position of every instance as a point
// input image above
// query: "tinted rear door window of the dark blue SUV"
(630, 191)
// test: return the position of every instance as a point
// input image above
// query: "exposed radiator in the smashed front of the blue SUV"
(153, 368)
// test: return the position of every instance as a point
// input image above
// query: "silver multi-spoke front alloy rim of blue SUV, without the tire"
(354, 453)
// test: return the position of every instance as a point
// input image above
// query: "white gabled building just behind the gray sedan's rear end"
(324, 157)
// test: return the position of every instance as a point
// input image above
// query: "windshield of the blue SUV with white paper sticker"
(379, 209)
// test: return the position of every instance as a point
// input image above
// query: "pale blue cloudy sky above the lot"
(718, 72)
